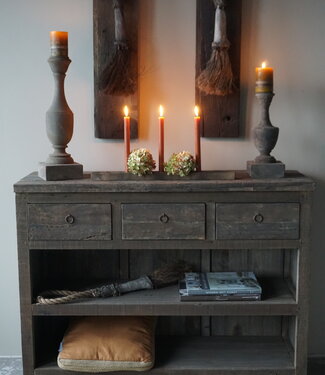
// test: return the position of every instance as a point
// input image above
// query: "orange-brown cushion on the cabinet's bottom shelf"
(112, 343)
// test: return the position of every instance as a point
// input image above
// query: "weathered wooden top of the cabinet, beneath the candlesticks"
(292, 182)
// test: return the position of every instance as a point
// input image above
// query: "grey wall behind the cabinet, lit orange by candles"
(290, 34)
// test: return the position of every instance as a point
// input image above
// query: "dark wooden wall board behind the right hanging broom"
(220, 114)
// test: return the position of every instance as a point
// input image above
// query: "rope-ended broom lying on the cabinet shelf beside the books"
(164, 276)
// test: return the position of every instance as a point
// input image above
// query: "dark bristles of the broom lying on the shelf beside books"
(169, 274)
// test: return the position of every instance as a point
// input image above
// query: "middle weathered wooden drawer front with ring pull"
(163, 221)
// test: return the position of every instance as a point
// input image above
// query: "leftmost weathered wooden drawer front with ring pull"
(76, 222)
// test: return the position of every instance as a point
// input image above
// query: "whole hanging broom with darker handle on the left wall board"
(118, 77)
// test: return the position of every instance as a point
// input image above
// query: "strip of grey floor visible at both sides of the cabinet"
(12, 366)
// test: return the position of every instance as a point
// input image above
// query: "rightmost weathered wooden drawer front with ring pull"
(249, 221)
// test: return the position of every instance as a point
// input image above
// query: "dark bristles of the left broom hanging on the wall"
(117, 78)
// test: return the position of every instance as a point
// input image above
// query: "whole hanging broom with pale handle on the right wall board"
(217, 77)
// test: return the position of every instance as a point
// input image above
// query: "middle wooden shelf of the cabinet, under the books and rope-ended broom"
(166, 302)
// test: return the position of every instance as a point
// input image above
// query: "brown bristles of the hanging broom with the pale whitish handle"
(217, 78)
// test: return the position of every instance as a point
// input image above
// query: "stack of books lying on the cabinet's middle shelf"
(220, 286)
